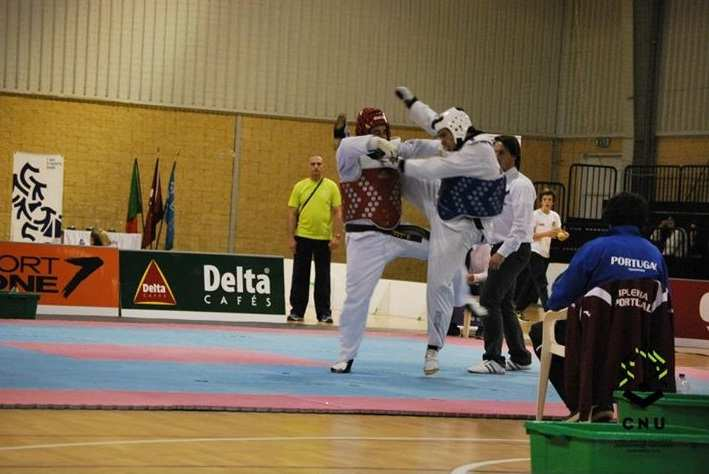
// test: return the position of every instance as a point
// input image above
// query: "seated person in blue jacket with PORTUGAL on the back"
(622, 254)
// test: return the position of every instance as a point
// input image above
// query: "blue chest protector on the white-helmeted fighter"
(471, 197)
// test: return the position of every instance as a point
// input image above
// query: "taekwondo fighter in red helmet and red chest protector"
(371, 189)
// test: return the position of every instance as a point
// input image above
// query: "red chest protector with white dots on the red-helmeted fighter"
(376, 196)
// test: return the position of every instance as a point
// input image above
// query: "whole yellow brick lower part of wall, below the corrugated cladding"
(99, 142)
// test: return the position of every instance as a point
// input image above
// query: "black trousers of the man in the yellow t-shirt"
(307, 250)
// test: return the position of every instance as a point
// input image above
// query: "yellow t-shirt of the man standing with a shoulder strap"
(315, 220)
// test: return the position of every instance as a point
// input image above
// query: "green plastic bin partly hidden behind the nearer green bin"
(676, 409)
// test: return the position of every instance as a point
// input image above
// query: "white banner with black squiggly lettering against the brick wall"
(37, 190)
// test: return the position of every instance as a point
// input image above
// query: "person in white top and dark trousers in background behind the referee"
(532, 281)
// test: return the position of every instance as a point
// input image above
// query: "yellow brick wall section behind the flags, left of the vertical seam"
(99, 142)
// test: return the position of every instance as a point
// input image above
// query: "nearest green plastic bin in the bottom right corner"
(604, 448)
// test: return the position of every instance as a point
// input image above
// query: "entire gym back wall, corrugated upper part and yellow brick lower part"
(104, 82)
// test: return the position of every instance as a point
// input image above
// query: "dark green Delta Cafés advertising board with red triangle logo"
(216, 287)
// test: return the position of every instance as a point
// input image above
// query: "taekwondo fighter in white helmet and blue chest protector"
(469, 191)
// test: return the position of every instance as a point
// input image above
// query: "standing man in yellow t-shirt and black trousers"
(314, 204)
